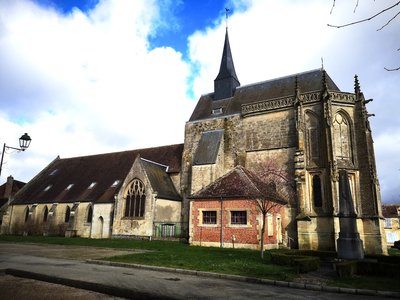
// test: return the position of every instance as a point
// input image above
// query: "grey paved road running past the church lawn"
(43, 262)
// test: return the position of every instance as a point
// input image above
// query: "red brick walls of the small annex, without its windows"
(244, 234)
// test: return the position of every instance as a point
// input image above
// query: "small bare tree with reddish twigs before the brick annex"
(279, 189)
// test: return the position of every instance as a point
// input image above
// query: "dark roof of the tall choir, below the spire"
(310, 81)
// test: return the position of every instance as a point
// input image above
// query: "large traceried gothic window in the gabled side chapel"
(135, 199)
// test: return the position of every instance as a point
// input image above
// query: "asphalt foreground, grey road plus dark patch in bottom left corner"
(66, 265)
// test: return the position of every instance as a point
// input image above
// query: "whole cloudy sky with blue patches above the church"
(96, 76)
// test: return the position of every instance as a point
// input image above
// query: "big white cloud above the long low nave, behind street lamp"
(87, 83)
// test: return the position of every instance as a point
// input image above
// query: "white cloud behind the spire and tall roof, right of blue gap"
(278, 38)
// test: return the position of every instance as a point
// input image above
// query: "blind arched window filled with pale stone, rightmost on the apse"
(341, 127)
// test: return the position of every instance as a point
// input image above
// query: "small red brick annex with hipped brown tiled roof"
(227, 213)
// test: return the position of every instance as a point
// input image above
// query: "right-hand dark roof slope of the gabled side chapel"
(160, 181)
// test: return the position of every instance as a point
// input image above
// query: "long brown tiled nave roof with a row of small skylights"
(95, 178)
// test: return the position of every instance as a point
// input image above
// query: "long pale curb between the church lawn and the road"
(296, 285)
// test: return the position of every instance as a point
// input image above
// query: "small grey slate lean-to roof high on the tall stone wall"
(207, 151)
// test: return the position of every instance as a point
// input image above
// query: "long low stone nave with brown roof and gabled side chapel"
(124, 193)
